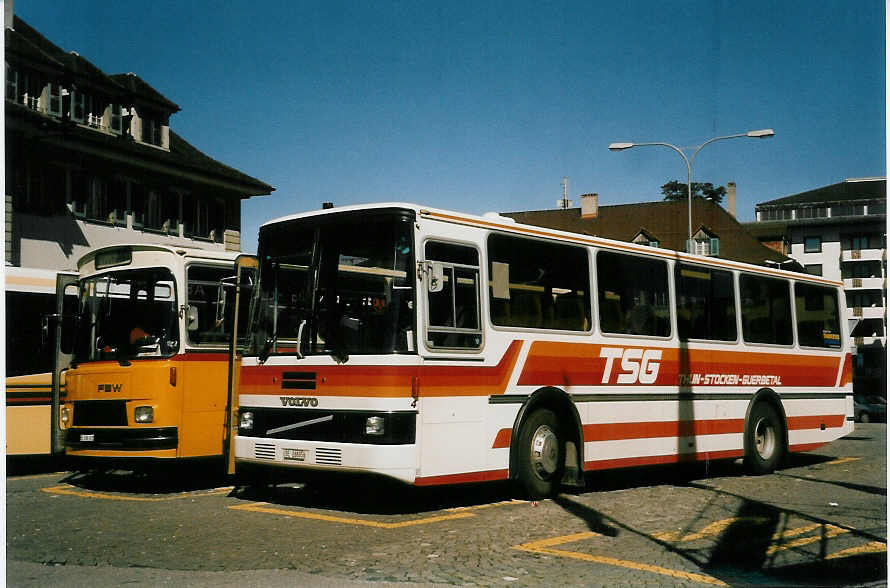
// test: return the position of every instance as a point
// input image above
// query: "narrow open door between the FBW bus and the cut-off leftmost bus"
(60, 333)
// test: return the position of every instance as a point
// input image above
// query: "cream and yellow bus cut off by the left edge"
(30, 295)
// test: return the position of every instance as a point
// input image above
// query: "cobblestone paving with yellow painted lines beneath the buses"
(821, 520)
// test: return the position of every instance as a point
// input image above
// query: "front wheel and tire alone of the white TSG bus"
(541, 458)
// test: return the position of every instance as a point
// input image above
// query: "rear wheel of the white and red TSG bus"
(766, 433)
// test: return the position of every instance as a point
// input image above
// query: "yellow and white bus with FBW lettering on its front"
(148, 373)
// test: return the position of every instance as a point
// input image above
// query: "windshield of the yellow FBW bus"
(127, 314)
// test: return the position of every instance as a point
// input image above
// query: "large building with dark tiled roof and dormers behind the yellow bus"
(91, 160)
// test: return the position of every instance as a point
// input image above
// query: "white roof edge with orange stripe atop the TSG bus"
(493, 221)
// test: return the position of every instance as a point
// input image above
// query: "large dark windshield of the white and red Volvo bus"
(340, 286)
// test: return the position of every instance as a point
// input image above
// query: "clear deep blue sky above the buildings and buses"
(479, 106)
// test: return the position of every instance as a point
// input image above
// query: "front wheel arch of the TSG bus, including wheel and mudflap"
(550, 421)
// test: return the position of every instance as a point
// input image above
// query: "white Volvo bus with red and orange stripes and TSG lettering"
(436, 347)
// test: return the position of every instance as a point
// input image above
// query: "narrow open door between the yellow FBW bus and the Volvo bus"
(245, 277)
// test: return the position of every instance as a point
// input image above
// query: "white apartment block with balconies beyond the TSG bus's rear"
(840, 232)
